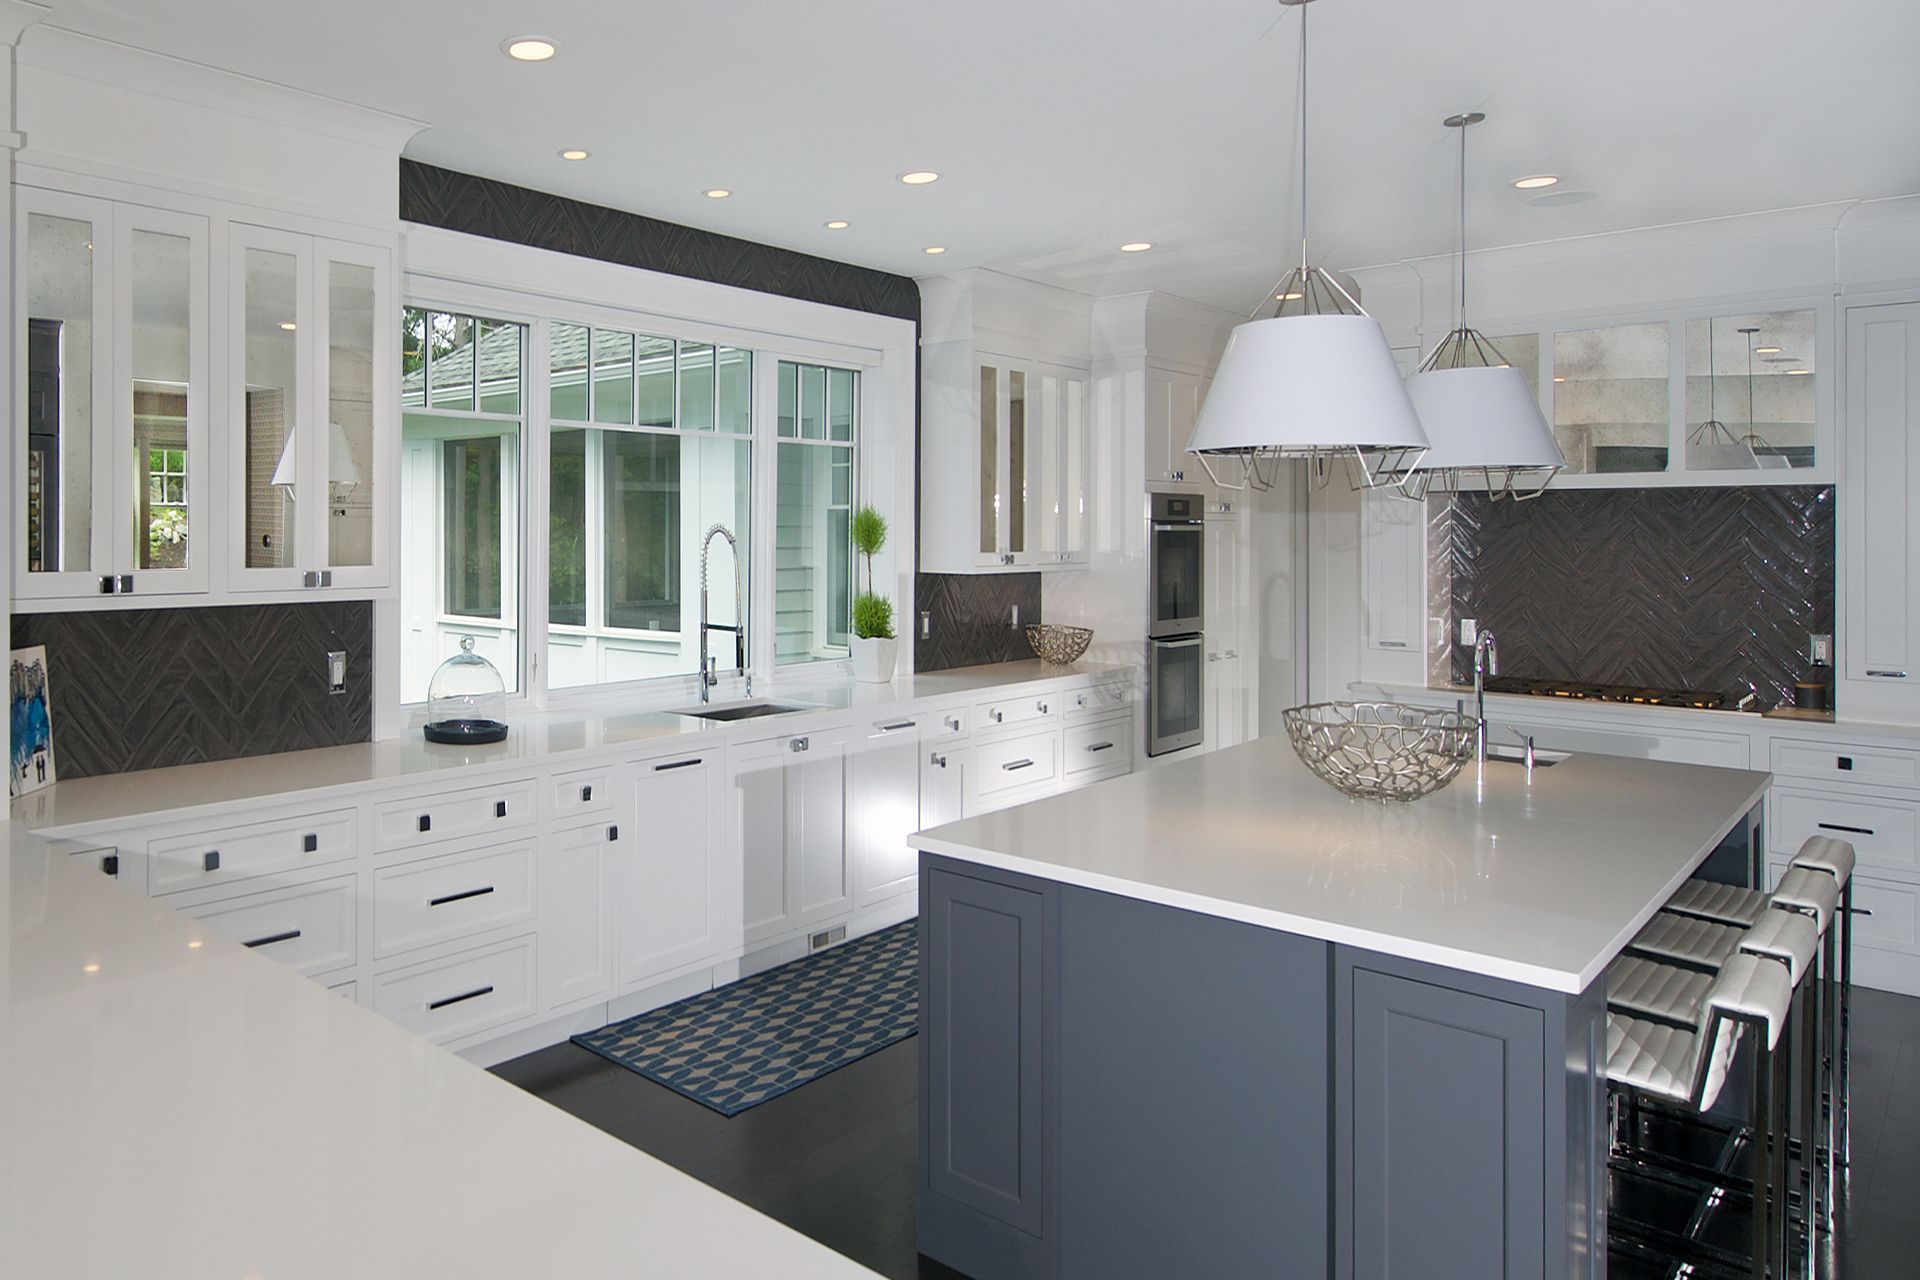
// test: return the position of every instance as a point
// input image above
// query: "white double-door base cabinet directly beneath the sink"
(788, 803)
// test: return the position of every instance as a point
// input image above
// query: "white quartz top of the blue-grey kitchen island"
(1539, 884)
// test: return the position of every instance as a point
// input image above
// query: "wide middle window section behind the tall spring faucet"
(650, 450)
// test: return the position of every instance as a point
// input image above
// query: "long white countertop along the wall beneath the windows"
(535, 738)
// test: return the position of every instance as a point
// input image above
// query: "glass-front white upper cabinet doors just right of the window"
(1034, 452)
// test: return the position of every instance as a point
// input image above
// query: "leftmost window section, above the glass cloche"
(462, 396)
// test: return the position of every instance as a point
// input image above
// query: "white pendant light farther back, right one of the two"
(1479, 412)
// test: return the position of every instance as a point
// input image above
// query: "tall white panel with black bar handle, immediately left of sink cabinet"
(675, 874)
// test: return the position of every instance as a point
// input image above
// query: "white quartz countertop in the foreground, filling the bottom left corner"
(178, 1106)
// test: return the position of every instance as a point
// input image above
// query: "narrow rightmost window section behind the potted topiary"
(813, 552)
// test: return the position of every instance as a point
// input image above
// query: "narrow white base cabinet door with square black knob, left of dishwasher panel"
(577, 914)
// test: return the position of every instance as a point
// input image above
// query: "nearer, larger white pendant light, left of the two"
(1314, 381)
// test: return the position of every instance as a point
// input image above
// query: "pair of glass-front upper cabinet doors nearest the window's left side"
(314, 381)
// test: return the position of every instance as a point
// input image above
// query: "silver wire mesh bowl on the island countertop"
(1380, 751)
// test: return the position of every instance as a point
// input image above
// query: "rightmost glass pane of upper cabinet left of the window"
(350, 490)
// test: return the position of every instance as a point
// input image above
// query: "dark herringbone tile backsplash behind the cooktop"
(1679, 588)
